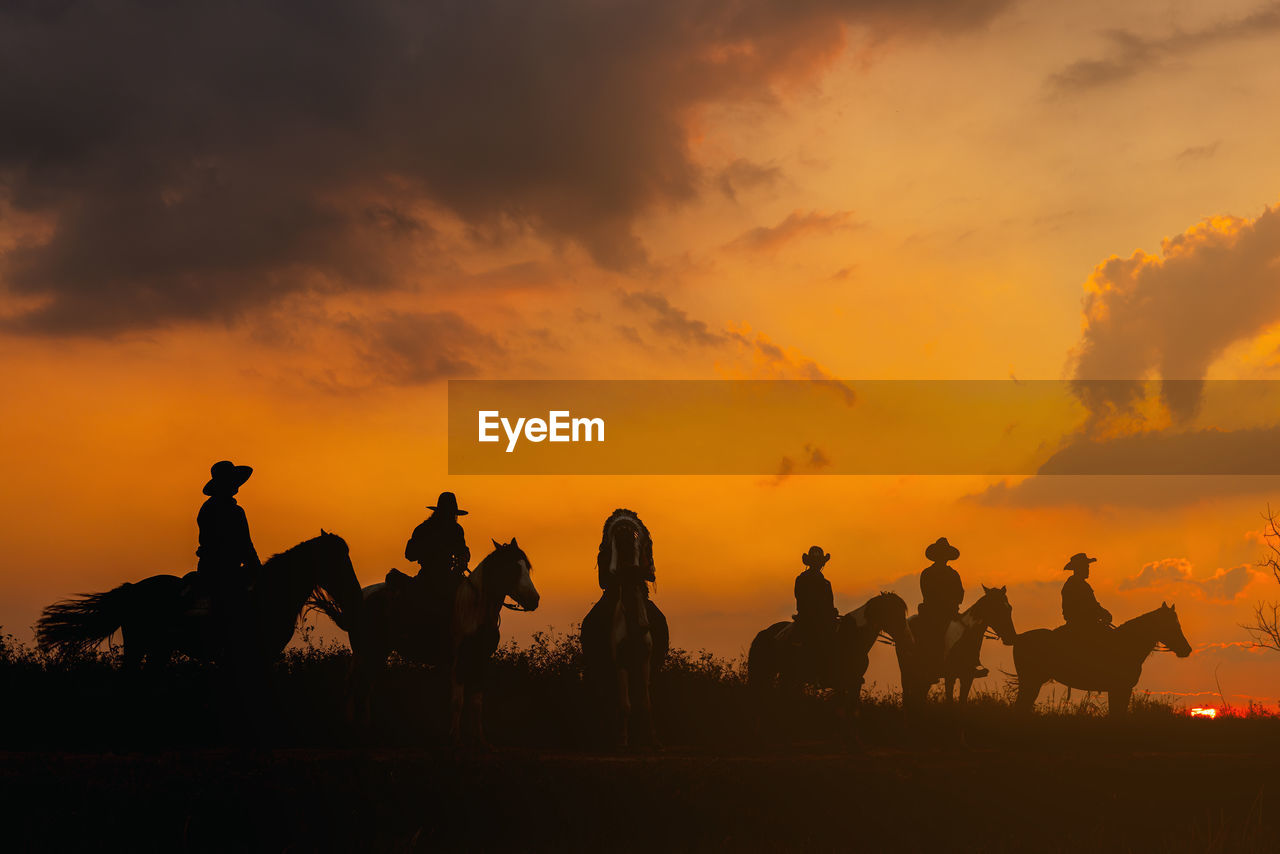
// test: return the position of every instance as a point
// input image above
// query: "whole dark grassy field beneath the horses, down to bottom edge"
(92, 757)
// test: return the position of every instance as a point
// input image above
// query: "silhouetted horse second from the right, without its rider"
(963, 642)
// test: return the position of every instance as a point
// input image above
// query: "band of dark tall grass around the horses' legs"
(537, 698)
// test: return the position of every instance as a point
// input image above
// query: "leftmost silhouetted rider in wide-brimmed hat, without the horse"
(228, 560)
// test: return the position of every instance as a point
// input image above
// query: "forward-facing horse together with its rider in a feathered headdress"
(625, 636)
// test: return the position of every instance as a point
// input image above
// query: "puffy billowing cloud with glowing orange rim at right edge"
(1174, 314)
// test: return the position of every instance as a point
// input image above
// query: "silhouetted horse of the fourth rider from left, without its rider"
(776, 660)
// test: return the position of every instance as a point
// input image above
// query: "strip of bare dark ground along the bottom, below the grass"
(408, 801)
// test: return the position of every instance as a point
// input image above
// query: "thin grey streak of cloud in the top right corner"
(1132, 54)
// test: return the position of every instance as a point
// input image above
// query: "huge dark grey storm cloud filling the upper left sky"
(195, 161)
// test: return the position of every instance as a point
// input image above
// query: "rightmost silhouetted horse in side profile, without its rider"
(1112, 661)
